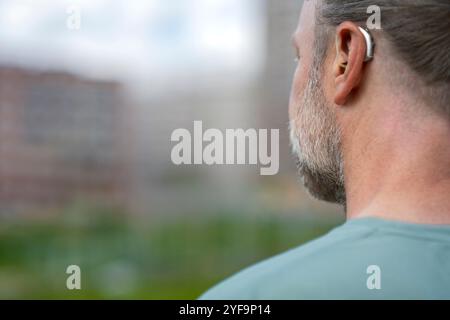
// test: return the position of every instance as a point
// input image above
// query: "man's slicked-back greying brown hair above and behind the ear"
(417, 30)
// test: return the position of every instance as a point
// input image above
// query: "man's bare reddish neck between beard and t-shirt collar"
(403, 173)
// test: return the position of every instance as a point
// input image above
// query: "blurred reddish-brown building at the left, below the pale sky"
(61, 137)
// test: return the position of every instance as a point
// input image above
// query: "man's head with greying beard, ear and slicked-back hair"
(337, 95)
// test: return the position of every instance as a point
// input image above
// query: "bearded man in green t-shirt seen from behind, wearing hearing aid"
(373, 134)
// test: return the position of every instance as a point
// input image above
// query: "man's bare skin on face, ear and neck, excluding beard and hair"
(396, 150)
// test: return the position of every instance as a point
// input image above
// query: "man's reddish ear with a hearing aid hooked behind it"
(349, 62)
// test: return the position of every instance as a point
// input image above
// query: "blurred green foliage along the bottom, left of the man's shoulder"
(134, 257)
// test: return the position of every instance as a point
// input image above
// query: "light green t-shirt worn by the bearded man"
(365, 258)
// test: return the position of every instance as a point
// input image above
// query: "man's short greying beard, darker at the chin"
(315, 140)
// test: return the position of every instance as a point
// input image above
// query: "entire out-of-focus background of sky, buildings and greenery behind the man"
(90, 92)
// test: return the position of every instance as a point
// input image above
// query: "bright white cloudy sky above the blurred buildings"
(132, 38)
